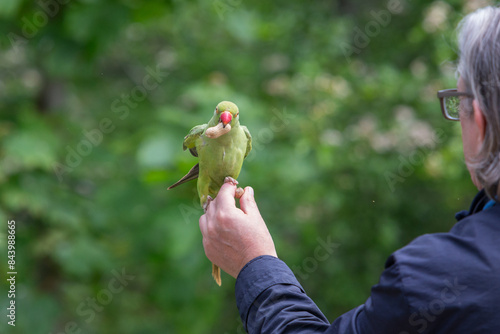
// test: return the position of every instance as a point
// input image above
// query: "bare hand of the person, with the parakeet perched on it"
(233, 236)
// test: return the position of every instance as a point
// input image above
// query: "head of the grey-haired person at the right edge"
(479, 75)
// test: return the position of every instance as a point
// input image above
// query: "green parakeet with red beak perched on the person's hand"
(221, 145)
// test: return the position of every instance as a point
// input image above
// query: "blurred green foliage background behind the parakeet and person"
(350, 148)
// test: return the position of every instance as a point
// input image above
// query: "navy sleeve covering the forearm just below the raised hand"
(271, 300)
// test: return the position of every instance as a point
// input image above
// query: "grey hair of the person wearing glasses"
(479, 68)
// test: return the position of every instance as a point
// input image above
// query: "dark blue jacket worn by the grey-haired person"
(439, 283)
